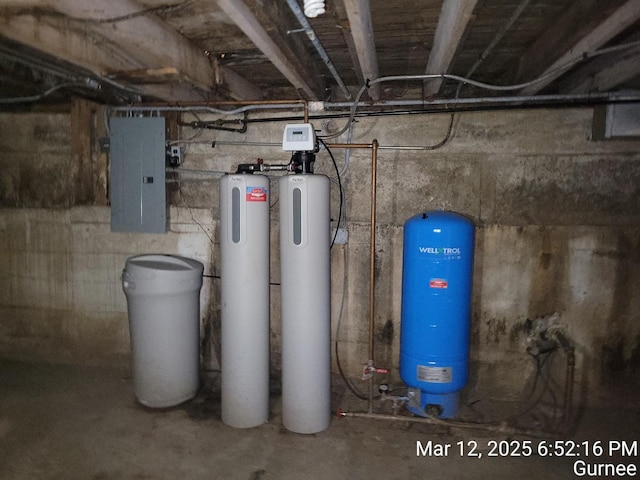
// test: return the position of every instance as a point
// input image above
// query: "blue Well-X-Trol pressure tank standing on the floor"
(437, 272)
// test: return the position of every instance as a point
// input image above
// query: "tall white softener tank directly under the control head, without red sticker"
(306, 314)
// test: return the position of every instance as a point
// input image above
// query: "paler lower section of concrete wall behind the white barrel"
(61, 297)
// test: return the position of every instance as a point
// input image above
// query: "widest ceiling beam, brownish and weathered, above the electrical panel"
(84, 36)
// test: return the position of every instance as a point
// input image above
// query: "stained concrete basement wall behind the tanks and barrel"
(558, 230)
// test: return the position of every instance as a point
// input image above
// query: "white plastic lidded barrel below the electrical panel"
(163, 300)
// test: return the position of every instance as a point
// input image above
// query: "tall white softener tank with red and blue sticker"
(244, 274)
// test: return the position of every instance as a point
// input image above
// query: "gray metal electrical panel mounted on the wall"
(137, 174)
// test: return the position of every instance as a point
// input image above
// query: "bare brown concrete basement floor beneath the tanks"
(63, 422)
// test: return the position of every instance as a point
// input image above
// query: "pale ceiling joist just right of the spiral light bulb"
(359, 15)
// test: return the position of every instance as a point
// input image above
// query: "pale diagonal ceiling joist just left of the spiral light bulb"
(242, 16)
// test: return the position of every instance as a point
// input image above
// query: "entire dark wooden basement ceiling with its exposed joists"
(209, 50)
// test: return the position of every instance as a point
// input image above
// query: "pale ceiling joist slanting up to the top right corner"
(622, 18)
